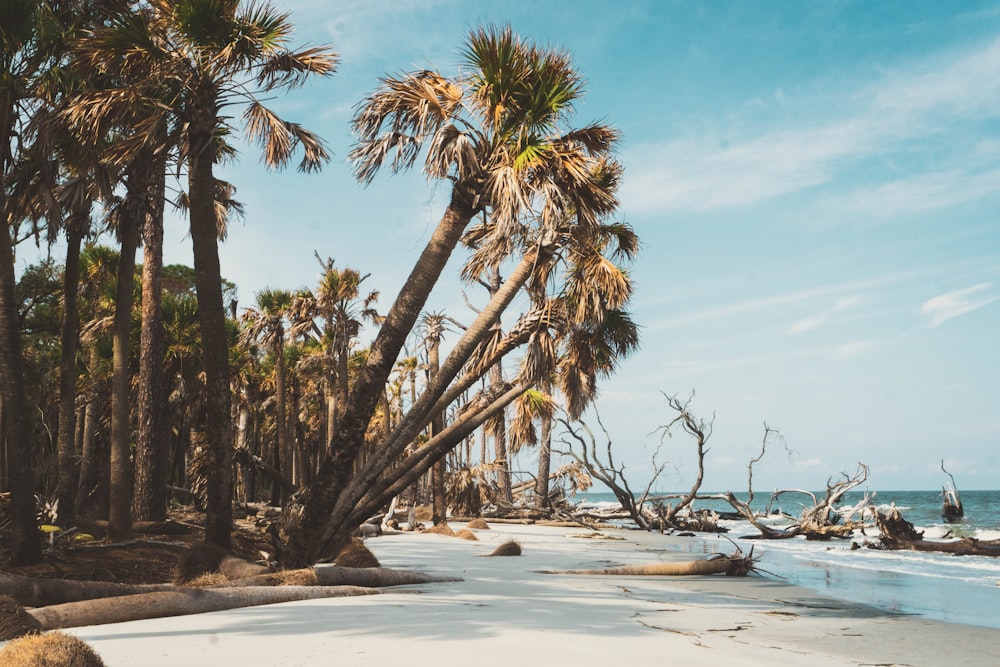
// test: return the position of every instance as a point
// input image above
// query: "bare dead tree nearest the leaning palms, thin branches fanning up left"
(584, 451)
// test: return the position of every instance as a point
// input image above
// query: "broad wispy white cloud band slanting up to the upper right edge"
(903, 110)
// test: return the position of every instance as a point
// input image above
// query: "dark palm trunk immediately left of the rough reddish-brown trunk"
(120, 505)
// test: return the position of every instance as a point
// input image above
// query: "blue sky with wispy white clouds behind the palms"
(815, 185)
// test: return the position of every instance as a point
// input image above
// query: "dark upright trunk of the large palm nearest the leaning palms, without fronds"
(214, 336)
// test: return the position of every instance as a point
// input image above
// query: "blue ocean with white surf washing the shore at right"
(955, 589)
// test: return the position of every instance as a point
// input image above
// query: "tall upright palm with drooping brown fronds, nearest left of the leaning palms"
(183, 62)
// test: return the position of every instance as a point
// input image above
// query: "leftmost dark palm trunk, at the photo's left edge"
(24, 541)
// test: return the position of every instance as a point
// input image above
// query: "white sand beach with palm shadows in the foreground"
(505, 613)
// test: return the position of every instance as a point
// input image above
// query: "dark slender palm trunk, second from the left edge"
(66, 446)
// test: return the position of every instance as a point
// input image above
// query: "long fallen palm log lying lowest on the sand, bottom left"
(180, 602)
